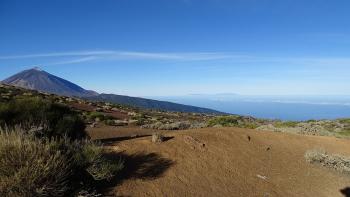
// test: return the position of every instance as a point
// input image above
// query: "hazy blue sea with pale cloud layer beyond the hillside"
(272, 107)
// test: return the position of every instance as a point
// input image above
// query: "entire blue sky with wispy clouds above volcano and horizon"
(179, 47)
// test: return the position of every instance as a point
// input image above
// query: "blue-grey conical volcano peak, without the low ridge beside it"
(37, 79)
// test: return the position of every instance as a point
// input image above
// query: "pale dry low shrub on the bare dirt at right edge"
(338, 162)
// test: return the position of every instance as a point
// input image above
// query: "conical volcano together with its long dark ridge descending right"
(37, 79)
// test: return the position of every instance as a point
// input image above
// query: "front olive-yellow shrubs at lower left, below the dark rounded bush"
(30, 166)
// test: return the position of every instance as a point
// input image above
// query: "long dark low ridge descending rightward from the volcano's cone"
(151, 104)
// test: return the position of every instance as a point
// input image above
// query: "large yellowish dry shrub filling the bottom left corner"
(30, 167)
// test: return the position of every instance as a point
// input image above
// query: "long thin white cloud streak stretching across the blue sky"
(92, 55)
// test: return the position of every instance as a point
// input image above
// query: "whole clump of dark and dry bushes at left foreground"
(44, 150)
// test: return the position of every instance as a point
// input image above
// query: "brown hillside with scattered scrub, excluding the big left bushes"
(210, 156)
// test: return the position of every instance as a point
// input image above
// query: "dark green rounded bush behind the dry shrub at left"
(55, 120)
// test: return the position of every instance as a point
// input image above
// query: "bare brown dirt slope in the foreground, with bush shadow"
(229, 164)
